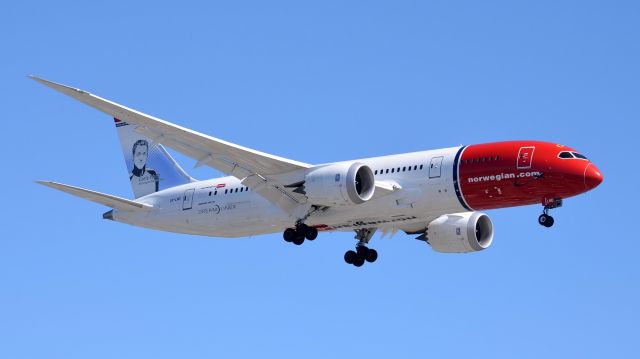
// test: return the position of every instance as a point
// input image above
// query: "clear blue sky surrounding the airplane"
(317, 82)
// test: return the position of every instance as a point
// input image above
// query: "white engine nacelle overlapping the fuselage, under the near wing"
(340, 184)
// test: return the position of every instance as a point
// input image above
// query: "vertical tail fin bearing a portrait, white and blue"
(151, 168)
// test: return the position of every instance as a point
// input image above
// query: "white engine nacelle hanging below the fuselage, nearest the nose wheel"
(460, 232)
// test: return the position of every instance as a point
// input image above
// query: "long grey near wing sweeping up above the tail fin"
(255, 167)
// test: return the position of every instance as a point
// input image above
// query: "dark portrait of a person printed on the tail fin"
(144, 180)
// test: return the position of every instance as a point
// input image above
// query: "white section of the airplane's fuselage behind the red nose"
(203, 207)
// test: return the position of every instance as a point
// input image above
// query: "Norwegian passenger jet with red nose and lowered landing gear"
(436, 195)
